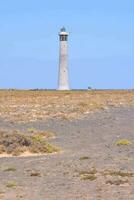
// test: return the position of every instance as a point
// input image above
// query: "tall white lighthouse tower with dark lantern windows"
(63, 61)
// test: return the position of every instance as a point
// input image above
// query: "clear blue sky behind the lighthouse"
(101, 43)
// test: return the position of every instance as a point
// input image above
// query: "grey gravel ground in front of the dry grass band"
(89, 150)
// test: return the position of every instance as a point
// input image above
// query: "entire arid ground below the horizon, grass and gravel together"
(94, 134)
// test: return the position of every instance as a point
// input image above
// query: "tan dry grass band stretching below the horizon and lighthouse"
(25, 106)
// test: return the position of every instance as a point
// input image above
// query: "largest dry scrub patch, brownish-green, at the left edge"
(18, 143)
